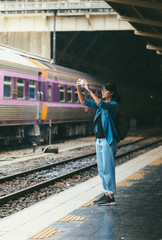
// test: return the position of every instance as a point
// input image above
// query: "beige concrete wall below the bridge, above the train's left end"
(34, 42)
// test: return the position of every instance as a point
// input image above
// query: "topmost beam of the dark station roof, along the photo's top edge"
(138, 3)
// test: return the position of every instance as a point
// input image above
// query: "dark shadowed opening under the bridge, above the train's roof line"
(117, 56)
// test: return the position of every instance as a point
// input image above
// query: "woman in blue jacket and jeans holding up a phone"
(106, 135)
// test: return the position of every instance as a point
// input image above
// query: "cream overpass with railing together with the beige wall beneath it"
(28, 24)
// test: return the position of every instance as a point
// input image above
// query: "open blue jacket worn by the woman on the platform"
(109, 111)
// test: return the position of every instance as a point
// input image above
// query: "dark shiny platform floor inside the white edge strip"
(137, 215)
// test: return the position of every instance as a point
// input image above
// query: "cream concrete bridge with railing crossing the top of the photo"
(76, 15)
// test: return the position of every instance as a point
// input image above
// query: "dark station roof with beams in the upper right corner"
(145, 16)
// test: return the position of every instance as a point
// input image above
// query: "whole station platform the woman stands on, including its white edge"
(70, 215)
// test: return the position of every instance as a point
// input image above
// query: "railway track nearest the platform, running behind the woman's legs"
(15, 195)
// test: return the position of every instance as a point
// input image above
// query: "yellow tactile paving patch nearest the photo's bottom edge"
(46, 233)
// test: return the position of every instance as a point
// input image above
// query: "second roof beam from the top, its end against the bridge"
(139, 20)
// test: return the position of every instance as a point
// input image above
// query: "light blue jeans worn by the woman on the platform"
(106, 164)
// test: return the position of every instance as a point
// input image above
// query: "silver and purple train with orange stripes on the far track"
(39, 100)
